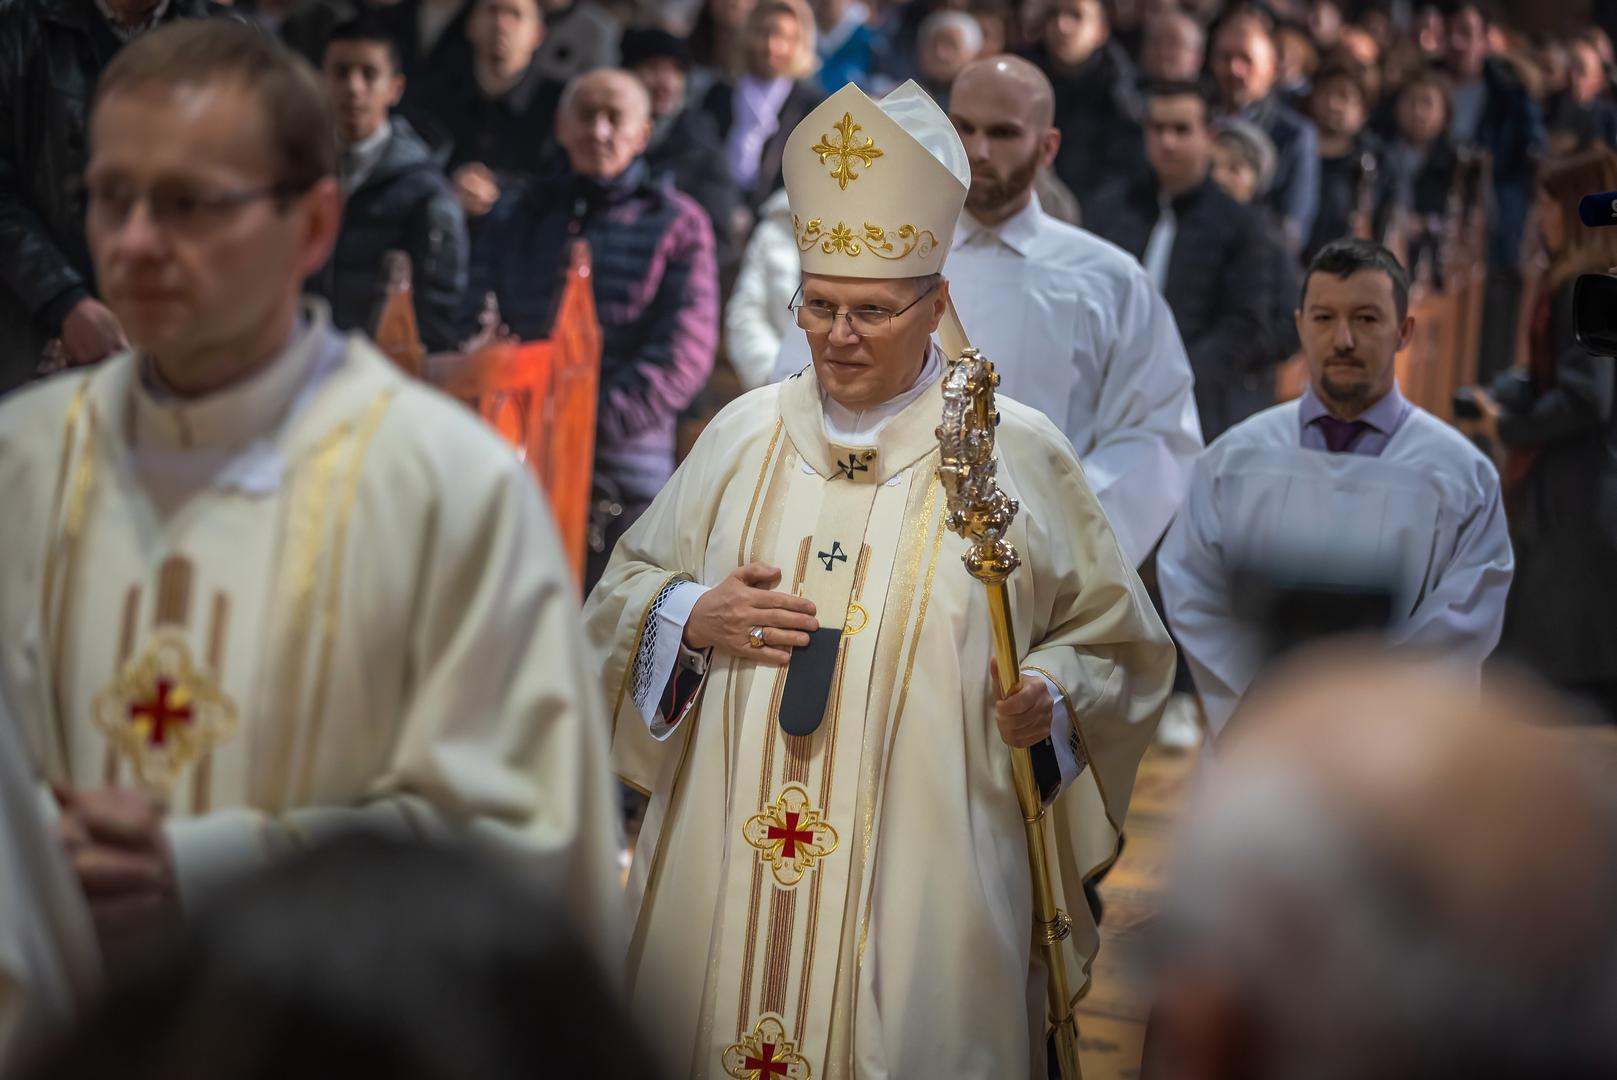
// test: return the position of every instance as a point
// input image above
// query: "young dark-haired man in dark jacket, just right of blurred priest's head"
(399, 198)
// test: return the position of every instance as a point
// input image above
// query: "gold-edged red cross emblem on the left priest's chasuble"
(163, 712)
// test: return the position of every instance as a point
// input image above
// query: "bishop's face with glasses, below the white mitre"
(864, 369)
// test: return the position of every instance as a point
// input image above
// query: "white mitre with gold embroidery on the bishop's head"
(876, 187)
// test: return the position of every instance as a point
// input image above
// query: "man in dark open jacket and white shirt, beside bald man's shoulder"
(1204, 251)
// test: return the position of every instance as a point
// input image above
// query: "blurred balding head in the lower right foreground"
(1391, 877)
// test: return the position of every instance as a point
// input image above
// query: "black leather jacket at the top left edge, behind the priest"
(53, 54)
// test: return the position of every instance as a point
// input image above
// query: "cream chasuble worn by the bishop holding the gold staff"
(856, 901)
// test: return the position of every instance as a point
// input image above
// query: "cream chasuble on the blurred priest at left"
(326, 597)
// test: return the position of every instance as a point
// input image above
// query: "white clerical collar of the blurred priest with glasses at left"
(235, 416)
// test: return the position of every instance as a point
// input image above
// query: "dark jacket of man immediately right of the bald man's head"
(1099, 112)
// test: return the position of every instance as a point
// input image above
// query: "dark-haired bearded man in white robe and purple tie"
(1353, 491)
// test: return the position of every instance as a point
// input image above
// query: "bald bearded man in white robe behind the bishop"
(1070, 321)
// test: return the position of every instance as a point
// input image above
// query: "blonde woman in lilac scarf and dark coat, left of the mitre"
(771, 98)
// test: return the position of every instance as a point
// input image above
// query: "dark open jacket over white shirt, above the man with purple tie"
(1220, 289)
